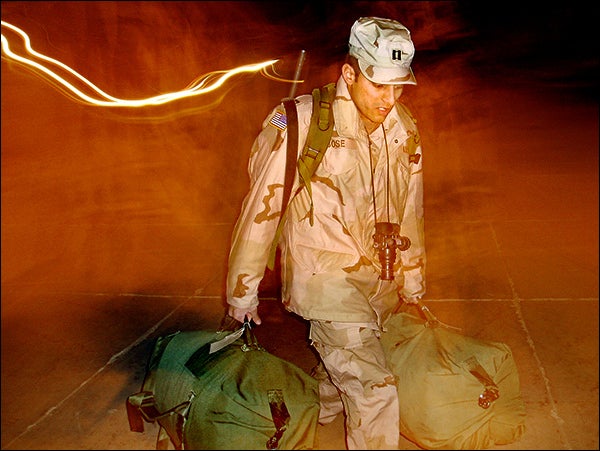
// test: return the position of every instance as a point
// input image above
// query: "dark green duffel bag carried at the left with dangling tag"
(222, 390)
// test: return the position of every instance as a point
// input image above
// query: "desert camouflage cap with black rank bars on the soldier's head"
(384, 50)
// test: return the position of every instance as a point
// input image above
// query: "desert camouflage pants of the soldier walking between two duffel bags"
(354, 377)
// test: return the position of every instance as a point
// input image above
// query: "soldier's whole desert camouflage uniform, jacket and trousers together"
(330, 270)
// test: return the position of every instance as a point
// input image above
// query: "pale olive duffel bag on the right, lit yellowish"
(455, 392)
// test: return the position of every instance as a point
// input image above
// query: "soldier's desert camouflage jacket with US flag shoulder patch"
(330, 269)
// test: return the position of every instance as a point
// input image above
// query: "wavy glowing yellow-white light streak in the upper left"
(201, 85)
